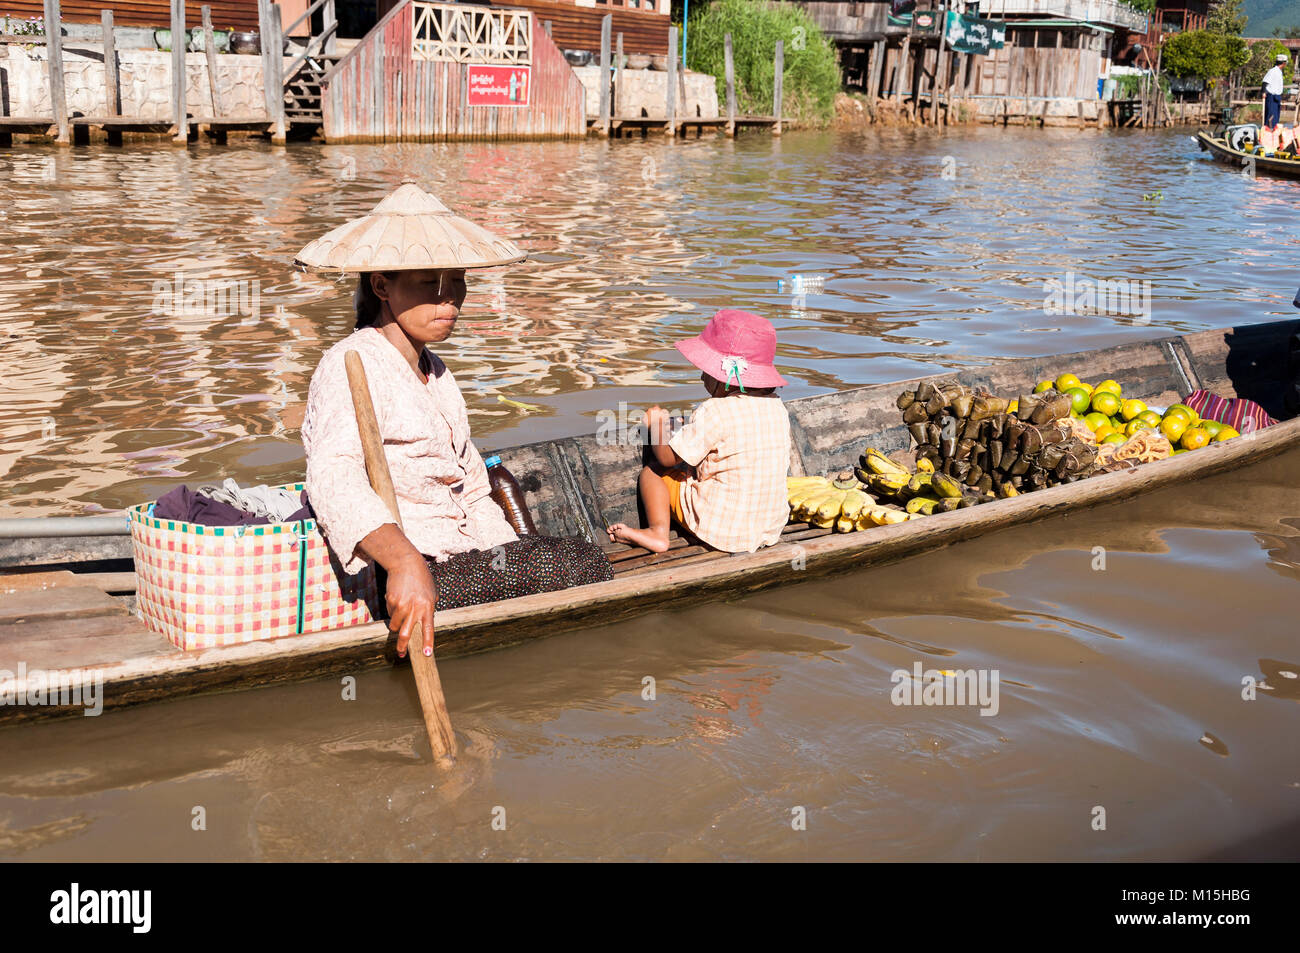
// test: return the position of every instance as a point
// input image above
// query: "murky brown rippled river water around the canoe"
(1120, 688)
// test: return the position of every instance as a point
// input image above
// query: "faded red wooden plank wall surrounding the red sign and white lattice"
(380, 93)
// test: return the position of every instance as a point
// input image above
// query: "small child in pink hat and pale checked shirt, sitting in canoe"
(722, 478)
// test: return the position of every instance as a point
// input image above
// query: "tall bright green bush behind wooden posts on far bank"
(812, 75)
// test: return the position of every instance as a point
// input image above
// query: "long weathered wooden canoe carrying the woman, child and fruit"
(57, 620)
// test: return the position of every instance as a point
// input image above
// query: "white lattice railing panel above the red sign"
(471, 34)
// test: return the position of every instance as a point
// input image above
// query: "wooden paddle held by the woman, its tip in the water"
(427, 682)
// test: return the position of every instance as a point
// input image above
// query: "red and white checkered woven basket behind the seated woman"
(209, 587)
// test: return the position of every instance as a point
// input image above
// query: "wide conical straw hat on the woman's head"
(410, 229)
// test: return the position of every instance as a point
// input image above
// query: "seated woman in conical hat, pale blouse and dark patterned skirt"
(457, 549)
